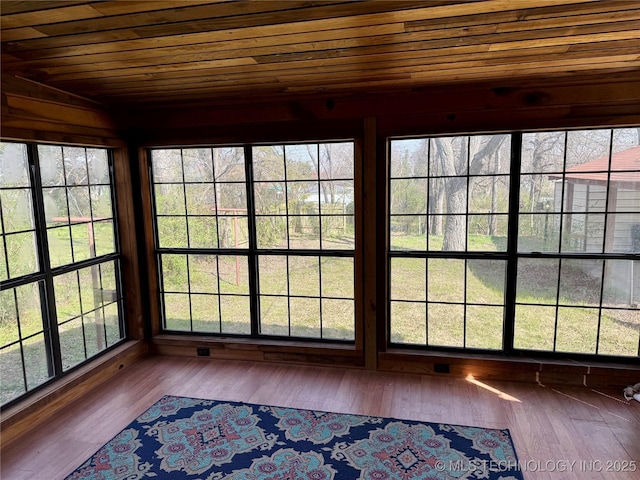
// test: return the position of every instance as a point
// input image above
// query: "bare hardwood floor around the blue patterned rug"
(551, 426)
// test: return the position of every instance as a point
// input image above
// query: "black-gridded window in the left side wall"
(60, 300)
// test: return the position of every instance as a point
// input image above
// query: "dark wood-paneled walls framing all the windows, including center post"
(36, 113)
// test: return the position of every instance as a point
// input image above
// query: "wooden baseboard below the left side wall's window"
(23, 416)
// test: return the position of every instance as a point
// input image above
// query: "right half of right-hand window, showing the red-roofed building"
(578, 285)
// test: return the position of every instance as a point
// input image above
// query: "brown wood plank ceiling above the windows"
(152, 52)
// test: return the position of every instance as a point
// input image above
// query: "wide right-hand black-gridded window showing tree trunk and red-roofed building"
(516, 242)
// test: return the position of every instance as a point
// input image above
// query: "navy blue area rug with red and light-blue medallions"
(186, 438)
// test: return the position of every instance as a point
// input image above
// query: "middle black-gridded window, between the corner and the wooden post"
(257, 241)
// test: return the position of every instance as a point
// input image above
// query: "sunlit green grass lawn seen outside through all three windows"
(428, 298)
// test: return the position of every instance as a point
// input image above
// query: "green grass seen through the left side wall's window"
(83, 330)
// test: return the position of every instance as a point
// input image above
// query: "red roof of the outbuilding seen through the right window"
(625, 170)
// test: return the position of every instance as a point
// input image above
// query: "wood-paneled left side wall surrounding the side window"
(35, 113)
